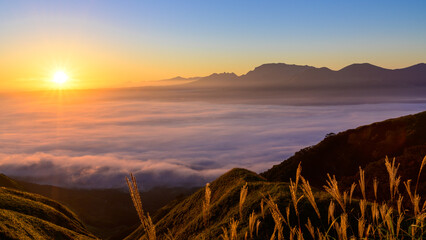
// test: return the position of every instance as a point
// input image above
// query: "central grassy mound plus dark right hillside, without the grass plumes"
(338, 154)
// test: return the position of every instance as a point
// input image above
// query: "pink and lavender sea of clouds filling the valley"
(95, 144)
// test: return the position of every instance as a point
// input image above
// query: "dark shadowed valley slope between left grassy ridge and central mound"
(108, 213)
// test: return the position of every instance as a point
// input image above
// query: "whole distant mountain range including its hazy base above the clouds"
(279, 83)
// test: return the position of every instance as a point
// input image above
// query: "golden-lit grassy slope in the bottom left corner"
(30, 216)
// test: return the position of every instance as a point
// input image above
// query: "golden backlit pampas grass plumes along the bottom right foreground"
(389, 219)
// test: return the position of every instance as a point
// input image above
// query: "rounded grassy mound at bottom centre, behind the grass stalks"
(185, 220)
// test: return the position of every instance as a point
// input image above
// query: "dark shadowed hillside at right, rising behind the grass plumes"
(341, 154)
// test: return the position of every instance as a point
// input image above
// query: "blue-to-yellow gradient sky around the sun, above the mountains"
(121, 43)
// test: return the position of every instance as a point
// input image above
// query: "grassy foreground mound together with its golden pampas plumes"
(243, 205)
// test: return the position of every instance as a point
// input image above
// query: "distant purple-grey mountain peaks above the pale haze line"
(361, 75)
